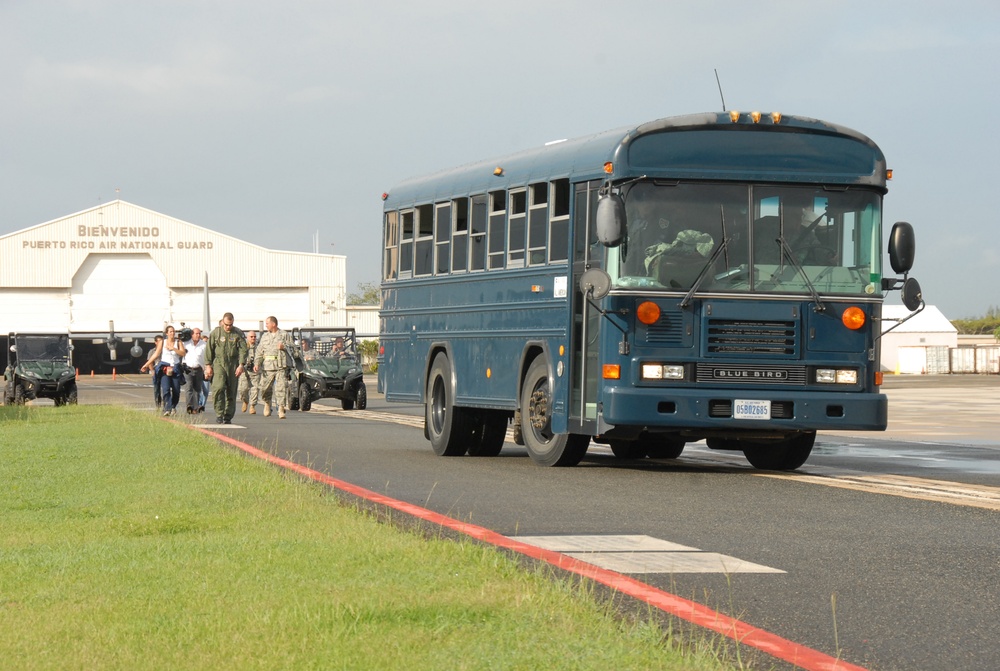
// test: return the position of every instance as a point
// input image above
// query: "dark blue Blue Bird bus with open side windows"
(710, 277)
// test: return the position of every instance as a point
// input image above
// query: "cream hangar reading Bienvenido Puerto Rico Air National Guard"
(141, 270)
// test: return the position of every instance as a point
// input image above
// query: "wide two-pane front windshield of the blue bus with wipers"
(764, 239)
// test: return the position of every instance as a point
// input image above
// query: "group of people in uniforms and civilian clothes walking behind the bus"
(234, 363)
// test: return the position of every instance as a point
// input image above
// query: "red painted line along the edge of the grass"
(745, 634)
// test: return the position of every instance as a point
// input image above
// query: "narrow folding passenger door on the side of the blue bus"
(585, 337)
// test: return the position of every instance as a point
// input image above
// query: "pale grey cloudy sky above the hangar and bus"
(281, 123)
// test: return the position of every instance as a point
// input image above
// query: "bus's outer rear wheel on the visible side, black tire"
(451, 430)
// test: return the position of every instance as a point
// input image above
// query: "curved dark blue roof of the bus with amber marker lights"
(695, 146)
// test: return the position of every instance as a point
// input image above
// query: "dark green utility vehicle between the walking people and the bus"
(327, 365)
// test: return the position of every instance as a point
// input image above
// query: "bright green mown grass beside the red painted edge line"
(128, 542)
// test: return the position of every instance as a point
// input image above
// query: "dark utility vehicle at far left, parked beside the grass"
(39, 366)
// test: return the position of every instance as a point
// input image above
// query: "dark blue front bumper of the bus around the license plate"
(711, 410)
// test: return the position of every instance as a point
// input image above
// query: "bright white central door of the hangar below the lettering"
(126, 288)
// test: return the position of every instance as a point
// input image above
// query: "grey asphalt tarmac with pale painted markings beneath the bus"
(881, 550)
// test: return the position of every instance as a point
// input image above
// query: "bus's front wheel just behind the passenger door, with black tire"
(544, 447)
